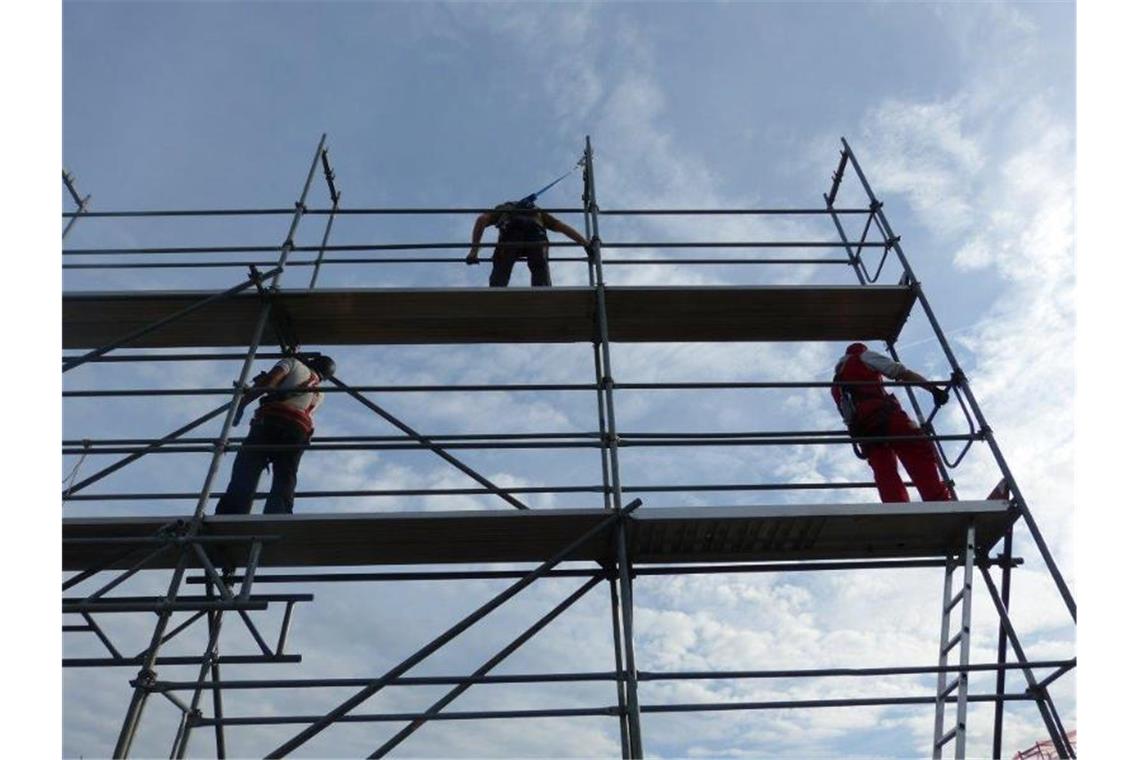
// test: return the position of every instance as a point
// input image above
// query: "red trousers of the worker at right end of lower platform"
(919, 457)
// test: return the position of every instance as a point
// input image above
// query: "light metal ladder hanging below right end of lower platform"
(958, 689)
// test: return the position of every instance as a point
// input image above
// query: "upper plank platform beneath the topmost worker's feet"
(519, 315)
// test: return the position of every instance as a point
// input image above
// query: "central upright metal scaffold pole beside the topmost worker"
(631, 713)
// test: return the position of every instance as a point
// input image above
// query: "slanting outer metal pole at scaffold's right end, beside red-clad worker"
(972, 402)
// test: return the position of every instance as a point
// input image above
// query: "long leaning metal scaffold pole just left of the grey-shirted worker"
(146, 674)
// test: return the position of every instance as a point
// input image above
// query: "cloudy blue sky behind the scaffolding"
(964, 117)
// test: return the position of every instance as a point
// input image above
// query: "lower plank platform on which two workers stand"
(662, 535)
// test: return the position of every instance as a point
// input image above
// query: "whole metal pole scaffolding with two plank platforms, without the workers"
(612, 544)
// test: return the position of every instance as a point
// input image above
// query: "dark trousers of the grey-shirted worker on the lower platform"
(250, 463)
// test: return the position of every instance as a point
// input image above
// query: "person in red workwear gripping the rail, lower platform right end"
(869, 411)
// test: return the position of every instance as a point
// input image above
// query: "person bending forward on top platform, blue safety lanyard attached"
(523, 235)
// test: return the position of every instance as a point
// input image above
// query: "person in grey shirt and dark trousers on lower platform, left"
(284, 419)
